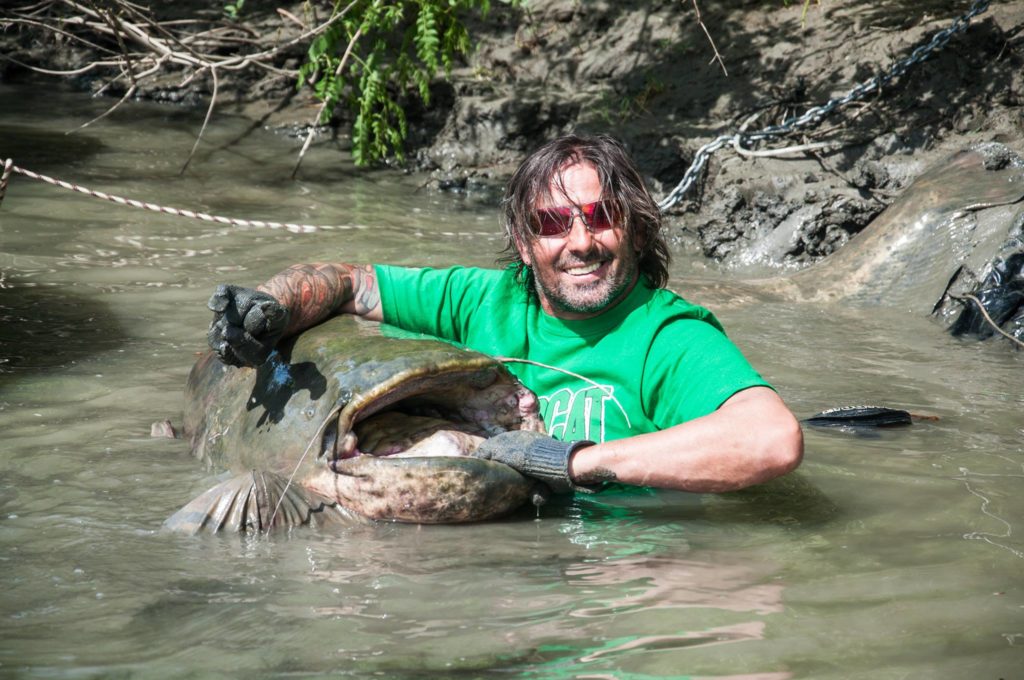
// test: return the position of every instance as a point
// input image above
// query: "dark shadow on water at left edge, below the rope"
(45, 328)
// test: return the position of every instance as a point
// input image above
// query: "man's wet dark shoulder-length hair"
(621, 184)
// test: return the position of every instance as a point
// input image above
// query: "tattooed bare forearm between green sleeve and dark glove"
(315, 292)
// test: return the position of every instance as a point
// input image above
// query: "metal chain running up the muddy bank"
(816, 115)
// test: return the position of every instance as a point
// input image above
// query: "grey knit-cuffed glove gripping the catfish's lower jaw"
(537, 456)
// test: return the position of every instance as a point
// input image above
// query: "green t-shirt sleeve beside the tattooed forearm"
(438, 303)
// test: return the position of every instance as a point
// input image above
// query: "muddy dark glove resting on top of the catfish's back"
(246, 325)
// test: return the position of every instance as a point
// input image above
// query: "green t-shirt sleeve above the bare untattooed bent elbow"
(693, 368)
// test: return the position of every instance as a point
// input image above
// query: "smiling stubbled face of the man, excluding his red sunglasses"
(581, 274)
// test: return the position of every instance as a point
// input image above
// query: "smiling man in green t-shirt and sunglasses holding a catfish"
(636, 386)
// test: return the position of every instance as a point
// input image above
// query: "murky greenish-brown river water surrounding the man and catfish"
(888, 557)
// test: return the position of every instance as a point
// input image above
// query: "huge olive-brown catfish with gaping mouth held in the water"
(398, 415)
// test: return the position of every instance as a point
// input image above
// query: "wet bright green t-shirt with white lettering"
(652, 362)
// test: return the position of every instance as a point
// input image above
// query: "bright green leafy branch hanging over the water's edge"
(374, 54)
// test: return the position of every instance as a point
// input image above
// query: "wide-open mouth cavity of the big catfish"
(443, 411)
